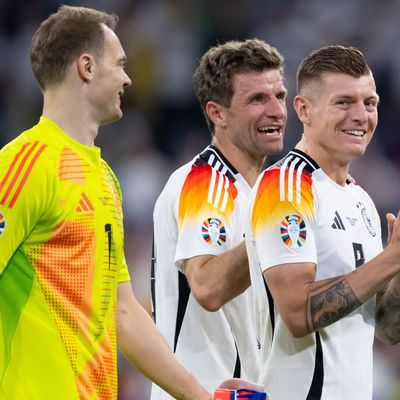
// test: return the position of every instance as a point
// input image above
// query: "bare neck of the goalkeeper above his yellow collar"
(71, 116)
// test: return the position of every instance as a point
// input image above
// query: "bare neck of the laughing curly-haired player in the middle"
(247, 166)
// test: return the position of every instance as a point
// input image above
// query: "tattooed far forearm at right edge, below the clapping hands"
(388, 316)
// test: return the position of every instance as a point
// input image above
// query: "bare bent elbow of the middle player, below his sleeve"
(214, 280)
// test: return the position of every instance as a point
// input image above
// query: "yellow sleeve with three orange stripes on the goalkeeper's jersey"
(24, 194)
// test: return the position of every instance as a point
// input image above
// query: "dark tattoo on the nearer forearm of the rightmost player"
(329, 303)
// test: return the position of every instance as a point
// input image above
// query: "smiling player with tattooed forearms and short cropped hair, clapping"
(316, 238)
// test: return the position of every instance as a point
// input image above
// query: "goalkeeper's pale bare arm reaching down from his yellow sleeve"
(144, 346)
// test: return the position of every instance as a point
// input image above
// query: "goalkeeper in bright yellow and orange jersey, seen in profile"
(65, 295)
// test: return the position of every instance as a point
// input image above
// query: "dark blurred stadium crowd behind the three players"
(163, 126)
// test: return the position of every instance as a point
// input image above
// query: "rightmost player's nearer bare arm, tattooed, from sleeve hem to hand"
(310, 305)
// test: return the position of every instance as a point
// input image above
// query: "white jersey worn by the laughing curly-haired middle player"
(201, 211)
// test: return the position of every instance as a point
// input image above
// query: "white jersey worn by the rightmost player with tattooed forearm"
(298, 214)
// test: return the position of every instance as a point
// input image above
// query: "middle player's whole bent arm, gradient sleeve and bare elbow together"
(208, 215)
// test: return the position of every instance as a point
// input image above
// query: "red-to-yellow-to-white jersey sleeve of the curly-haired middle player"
(205, 211)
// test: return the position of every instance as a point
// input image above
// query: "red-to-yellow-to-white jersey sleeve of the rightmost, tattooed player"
(283, 218)
